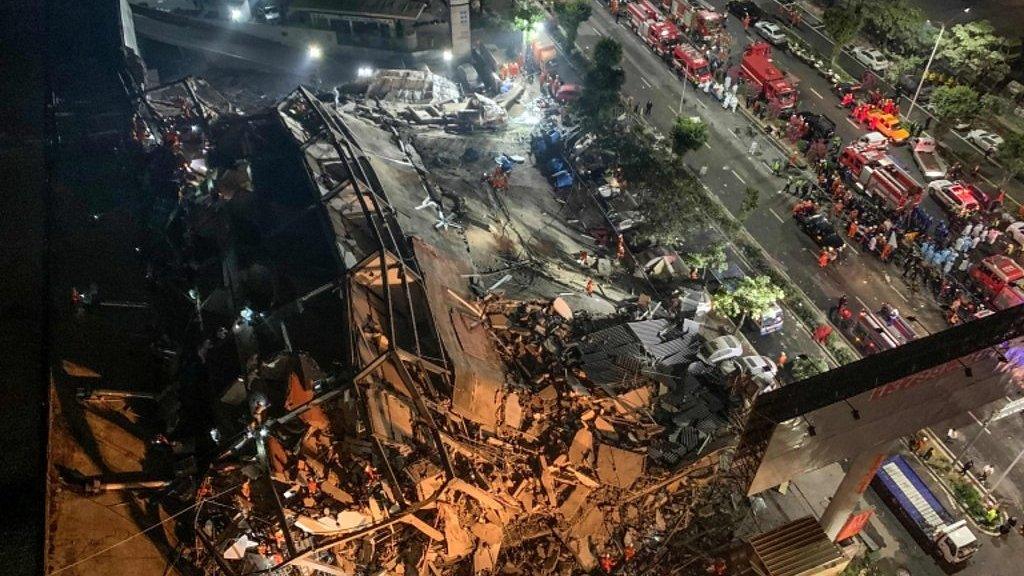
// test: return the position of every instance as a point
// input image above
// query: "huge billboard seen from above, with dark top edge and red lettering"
(842, 414)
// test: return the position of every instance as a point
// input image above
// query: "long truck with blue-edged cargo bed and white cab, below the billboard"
(923, 515)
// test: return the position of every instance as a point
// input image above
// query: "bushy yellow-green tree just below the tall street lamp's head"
(976, 54)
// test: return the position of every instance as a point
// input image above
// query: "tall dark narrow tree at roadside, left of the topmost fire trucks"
(600, 101)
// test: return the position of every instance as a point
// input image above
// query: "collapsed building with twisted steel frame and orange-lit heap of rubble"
(373, 414)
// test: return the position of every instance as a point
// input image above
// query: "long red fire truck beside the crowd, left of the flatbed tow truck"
(880, 177)
